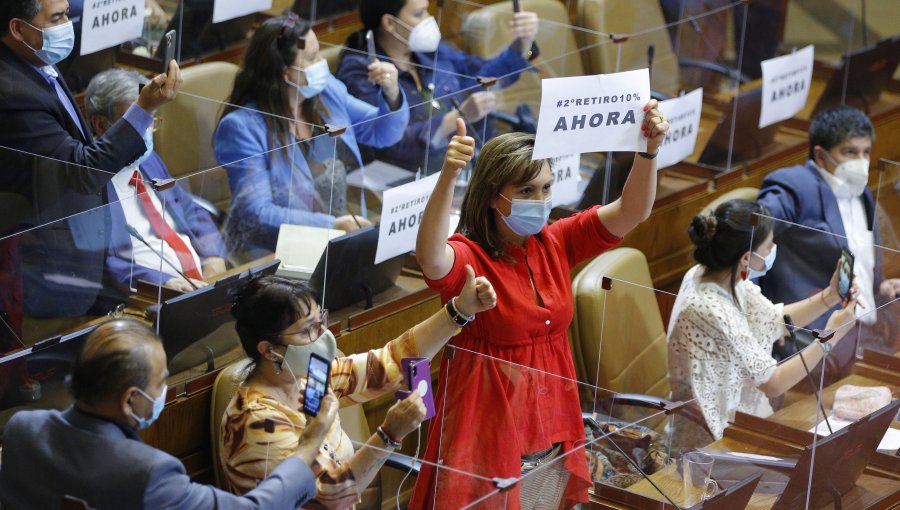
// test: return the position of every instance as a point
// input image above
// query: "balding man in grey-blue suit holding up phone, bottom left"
(91, 451)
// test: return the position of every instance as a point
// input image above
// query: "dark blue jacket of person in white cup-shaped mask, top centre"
(450, 79)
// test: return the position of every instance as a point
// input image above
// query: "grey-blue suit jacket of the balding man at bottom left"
(51, 454)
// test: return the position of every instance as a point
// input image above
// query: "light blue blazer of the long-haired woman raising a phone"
(265, 191)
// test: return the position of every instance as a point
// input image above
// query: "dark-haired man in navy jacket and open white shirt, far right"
(825, 206)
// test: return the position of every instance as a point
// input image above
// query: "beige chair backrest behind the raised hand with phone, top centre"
(486, 33)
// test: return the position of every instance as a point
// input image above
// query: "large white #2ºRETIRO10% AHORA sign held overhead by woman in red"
(592, 113)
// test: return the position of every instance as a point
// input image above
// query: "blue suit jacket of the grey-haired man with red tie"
(188, 217)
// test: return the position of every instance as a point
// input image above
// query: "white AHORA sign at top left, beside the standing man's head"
(108, 23)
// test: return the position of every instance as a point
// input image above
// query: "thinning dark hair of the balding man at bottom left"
(114, 358)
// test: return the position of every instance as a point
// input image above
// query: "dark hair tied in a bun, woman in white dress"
(721, 238)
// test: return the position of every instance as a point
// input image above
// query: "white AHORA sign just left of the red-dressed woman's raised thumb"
(402, 209)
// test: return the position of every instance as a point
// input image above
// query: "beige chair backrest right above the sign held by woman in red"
(617, 17)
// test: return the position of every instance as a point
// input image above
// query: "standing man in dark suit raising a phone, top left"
(50, 162)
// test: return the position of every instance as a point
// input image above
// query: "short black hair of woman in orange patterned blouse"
(266, 307)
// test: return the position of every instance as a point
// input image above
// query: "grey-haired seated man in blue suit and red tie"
(187, 239)
